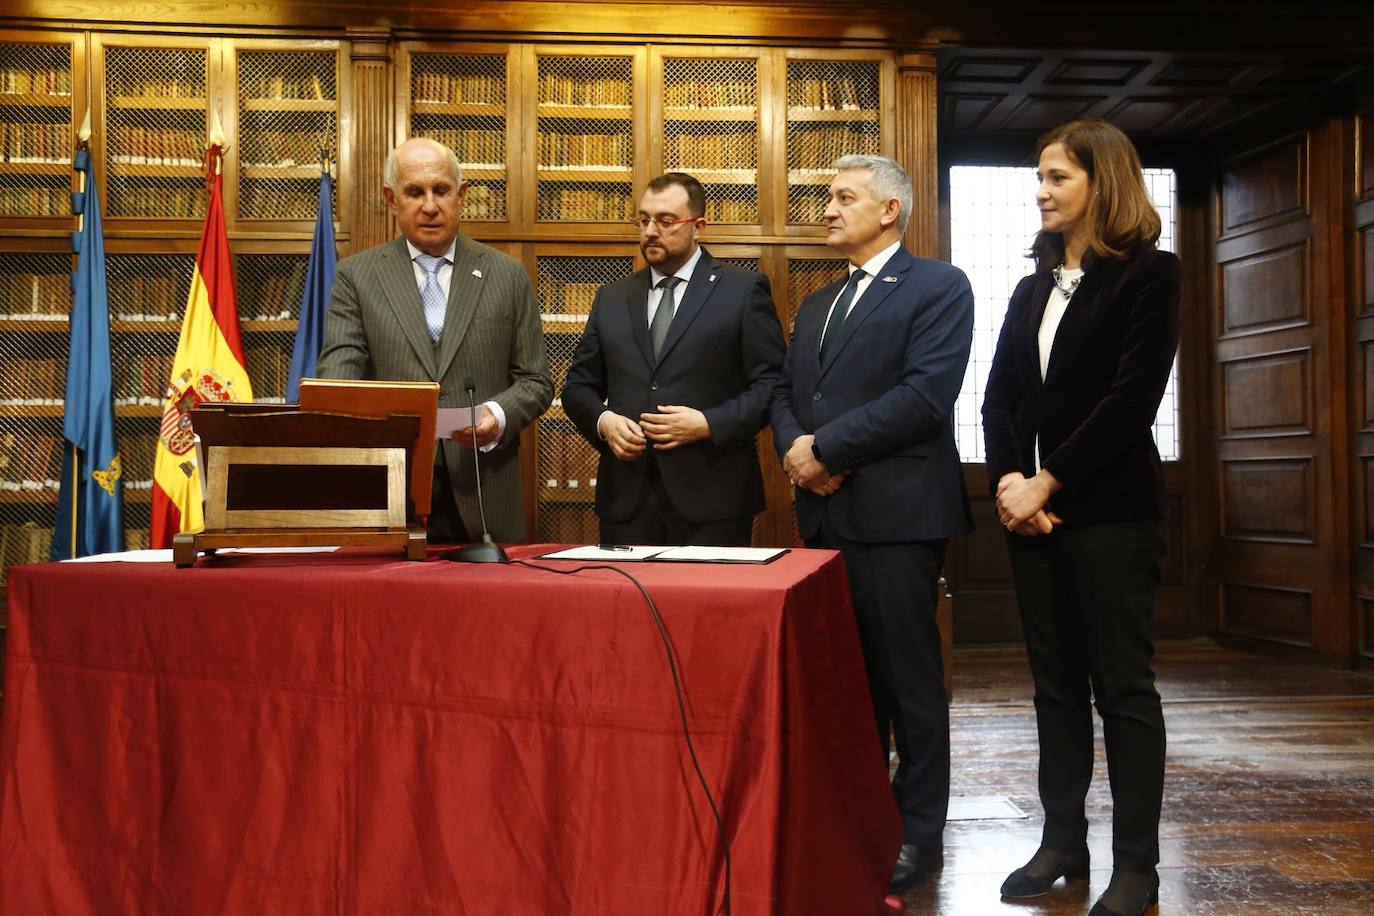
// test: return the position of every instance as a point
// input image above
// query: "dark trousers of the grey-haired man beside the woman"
(895, 591)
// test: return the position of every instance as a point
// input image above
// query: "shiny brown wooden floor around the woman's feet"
(1269, 799)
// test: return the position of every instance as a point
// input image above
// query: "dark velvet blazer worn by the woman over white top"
(1093, 414)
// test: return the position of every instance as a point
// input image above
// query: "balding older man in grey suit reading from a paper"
(433, 307)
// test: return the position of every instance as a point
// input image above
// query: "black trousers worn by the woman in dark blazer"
(1086, 597)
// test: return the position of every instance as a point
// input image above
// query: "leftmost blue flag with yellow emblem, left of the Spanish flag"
(91, 503)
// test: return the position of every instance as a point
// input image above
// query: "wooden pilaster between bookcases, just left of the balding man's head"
(373, 137)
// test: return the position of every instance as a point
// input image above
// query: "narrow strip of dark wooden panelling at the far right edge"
(1362, 384)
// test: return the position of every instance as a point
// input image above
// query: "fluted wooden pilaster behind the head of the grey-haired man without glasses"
(916, 145)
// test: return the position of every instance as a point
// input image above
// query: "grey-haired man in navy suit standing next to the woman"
(862, 421)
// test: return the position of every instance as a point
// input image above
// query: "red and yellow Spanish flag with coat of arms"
(210, 366)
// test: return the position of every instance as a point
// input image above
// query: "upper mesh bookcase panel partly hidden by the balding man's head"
(461, 101)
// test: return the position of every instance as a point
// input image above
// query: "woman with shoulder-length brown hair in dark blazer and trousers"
(1078, 377)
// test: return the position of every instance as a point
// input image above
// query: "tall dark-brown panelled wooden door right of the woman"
(1280, 409)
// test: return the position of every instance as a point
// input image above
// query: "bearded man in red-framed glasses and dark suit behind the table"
(673, 380)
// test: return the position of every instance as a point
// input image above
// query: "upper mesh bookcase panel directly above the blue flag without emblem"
(288, 128)
